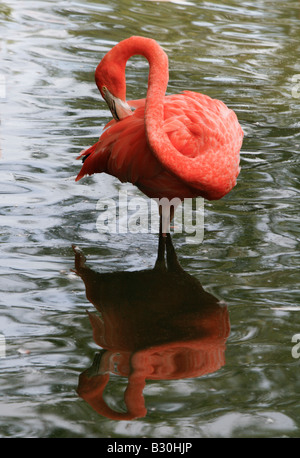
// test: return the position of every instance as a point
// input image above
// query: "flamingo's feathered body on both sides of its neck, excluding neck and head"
(197, 126)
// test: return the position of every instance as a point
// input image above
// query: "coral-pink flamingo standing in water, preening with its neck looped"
(170, 146)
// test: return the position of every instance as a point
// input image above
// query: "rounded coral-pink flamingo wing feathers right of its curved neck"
(206, 141)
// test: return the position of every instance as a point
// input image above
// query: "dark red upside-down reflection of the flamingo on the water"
(155, 324)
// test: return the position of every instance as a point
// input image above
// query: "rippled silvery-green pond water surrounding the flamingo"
(245, 53)
